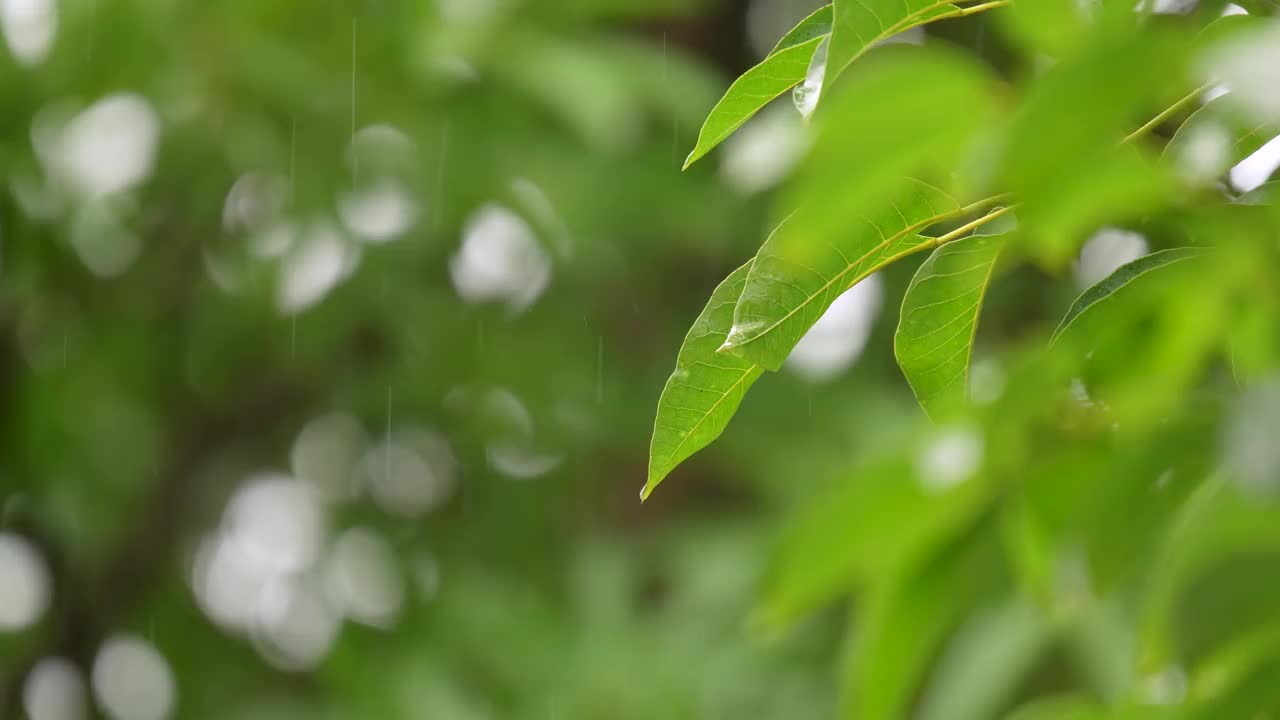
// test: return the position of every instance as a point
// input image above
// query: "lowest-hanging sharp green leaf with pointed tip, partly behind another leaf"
(706, 390)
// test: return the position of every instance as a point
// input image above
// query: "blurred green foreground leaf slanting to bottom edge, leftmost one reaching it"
(904, 622)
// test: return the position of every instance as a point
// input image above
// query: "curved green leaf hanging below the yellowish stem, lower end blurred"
(940, 317)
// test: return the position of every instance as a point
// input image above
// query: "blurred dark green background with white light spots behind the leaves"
(331, 338)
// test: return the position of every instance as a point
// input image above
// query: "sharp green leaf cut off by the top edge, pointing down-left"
(858, 25)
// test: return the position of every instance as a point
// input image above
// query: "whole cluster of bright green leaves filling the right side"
(1090, 531)
